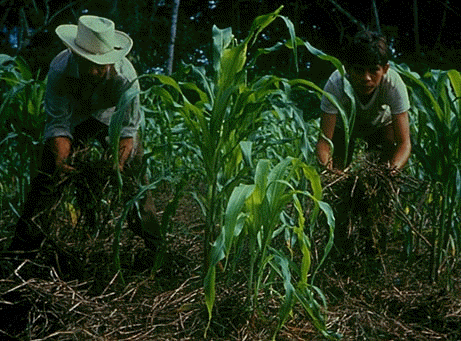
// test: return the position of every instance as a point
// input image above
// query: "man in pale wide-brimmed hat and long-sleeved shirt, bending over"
(85, 83)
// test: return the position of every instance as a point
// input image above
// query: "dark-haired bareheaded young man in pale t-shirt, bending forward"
(382, 106)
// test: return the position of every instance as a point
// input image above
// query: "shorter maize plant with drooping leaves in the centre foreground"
(253, 215)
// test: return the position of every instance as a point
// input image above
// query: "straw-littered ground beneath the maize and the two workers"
(73, 294)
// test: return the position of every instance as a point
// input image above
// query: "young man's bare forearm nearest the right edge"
(401, 128)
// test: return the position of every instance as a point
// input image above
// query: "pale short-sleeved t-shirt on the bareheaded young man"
(389, 98)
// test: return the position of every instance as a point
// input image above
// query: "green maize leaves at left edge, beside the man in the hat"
(22, 119)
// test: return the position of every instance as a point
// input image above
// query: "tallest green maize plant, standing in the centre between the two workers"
(225, 111)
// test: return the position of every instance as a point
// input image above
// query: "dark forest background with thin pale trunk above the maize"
(423, 33)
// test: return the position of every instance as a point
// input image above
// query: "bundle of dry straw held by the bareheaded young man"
(366, 200)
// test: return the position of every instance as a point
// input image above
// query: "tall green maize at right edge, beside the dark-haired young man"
(436, 108)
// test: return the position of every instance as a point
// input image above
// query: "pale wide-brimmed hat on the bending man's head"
(95, 39)
